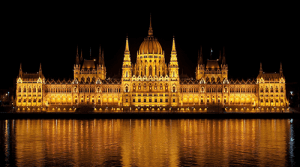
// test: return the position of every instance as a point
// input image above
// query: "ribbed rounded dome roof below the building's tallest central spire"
(150, 45)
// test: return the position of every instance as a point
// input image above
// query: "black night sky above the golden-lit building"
(251, 34)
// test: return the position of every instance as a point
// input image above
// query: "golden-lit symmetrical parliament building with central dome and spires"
(151, 85)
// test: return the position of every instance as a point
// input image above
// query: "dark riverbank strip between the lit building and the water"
(148, 115)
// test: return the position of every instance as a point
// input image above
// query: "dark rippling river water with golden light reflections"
(149, 142)
